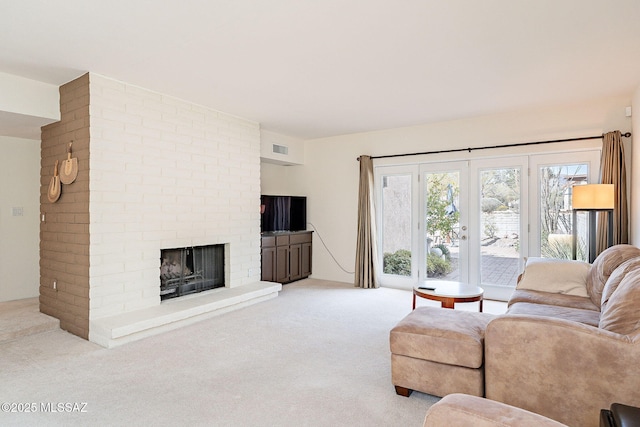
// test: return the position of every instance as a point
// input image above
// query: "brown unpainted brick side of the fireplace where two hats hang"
(64, 232)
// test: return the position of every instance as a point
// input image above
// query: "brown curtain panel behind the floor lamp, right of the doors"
(613, 171)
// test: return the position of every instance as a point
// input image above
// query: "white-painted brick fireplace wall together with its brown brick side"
(161, 173)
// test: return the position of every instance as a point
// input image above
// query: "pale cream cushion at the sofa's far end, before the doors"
(555, 275)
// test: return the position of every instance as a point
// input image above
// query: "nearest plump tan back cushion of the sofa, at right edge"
(621, 314)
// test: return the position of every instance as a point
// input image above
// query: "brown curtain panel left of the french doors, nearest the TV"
(366, 249)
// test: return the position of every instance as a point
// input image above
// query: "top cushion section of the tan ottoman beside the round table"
(442, 335)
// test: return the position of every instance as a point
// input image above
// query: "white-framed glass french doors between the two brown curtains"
(474, 221)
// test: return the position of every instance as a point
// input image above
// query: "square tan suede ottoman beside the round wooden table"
(439, 351)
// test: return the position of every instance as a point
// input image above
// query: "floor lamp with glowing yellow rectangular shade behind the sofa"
(592, 198)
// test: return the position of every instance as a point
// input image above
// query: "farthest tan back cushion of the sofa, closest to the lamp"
(604, 265)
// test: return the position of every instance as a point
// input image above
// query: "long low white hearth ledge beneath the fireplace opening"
(175, 313)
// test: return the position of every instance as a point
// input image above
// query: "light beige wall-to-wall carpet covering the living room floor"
(317, 355)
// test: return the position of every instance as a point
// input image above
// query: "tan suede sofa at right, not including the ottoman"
(567, 356)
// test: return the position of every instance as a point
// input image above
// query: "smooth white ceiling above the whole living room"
(315, 68)
